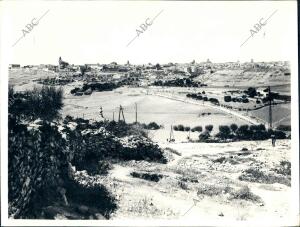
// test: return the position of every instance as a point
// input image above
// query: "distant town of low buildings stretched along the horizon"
(147, 73)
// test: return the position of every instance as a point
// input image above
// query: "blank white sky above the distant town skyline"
(98, 32)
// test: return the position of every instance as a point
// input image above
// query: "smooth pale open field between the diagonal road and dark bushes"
(163, 111)
